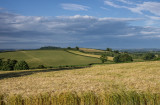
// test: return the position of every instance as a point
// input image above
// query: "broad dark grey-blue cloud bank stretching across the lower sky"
(17, 31)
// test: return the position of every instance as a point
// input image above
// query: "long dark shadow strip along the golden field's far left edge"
(25, 73)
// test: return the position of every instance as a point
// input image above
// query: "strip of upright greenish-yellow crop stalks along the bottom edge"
(89, 98)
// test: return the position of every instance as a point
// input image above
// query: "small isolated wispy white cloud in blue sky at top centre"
(74, 7)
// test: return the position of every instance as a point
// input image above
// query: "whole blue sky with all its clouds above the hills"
(29, 24)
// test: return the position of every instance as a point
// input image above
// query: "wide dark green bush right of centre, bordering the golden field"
(123, 58)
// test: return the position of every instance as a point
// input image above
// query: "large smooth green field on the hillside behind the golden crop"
(49, 58)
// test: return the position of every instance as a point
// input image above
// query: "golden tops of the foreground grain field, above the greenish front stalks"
(139, 77)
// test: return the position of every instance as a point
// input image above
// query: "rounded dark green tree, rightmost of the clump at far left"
(21, 65)
